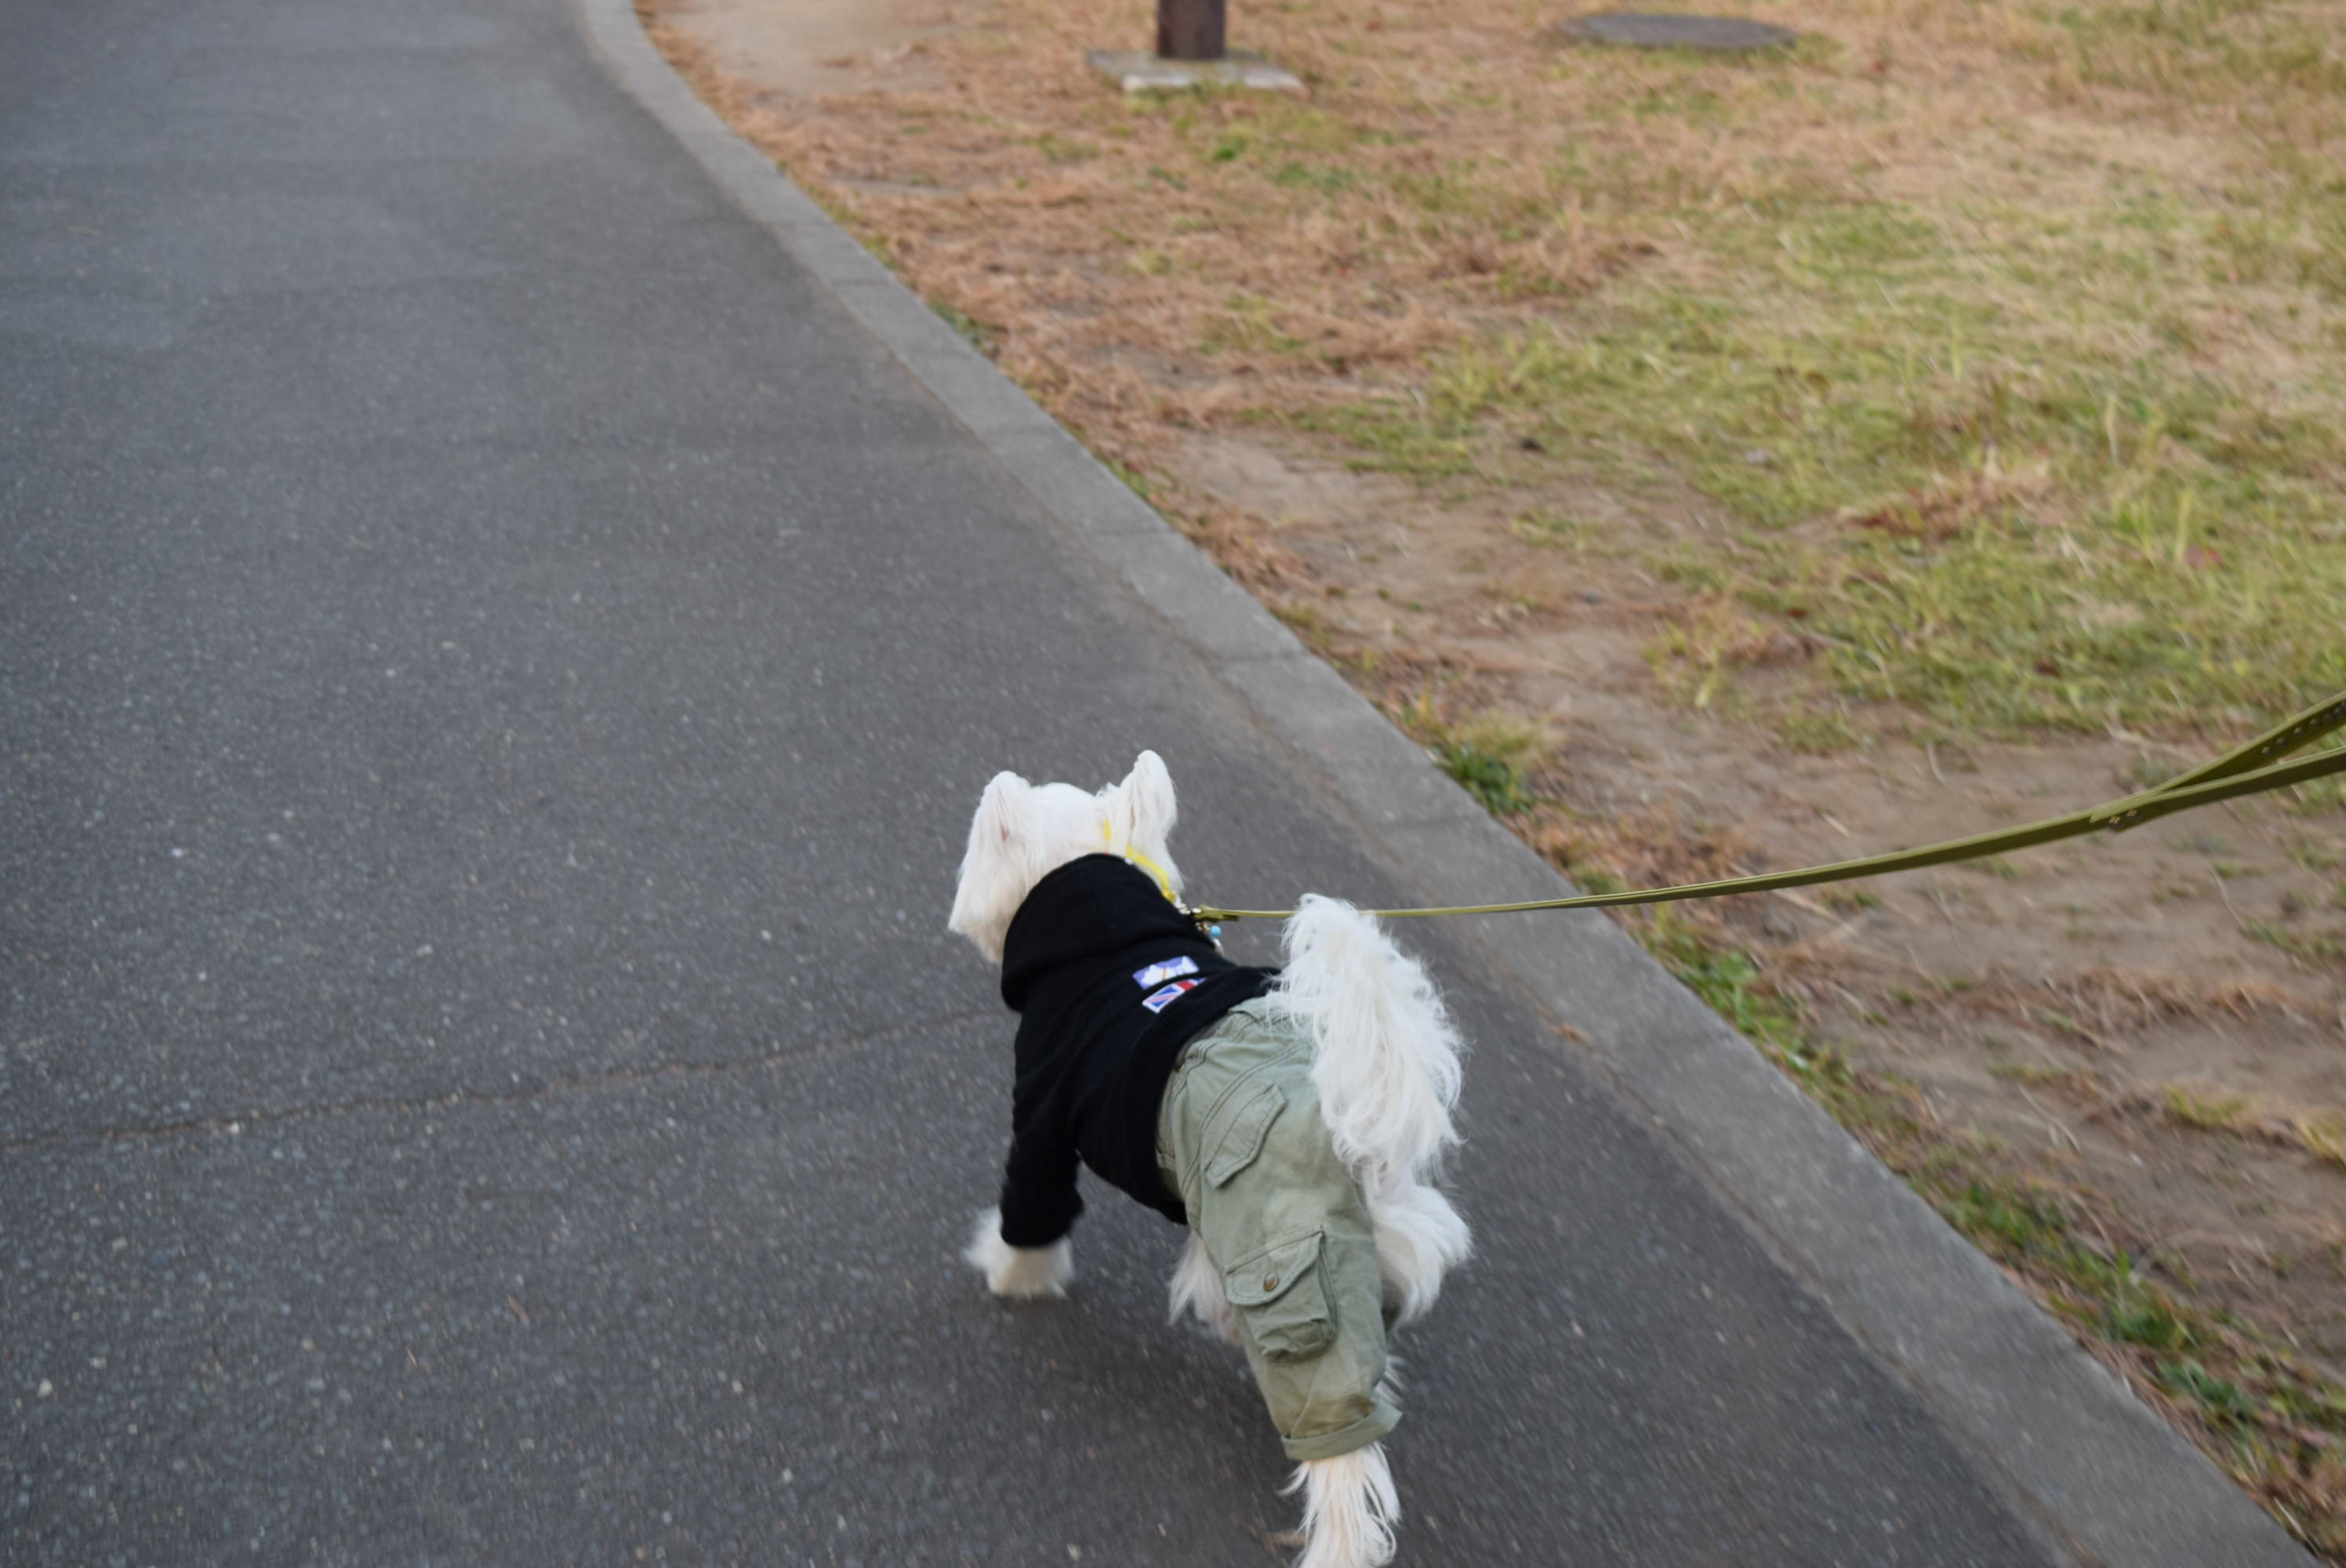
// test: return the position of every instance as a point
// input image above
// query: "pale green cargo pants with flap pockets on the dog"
(1240, 1137)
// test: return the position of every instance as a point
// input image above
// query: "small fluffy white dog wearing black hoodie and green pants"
(1294, 1121)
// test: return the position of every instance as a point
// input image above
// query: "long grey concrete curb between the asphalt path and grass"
(2063, 1438)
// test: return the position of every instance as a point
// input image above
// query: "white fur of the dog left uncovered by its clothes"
(1385, 1067)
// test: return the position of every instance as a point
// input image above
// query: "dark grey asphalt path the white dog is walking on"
(494, 673)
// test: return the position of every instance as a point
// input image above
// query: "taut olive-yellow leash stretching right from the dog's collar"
(2244, 771)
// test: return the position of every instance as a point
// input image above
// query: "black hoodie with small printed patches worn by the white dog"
(1111, 985)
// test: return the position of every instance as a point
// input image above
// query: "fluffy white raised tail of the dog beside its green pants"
(1388, 1074)
